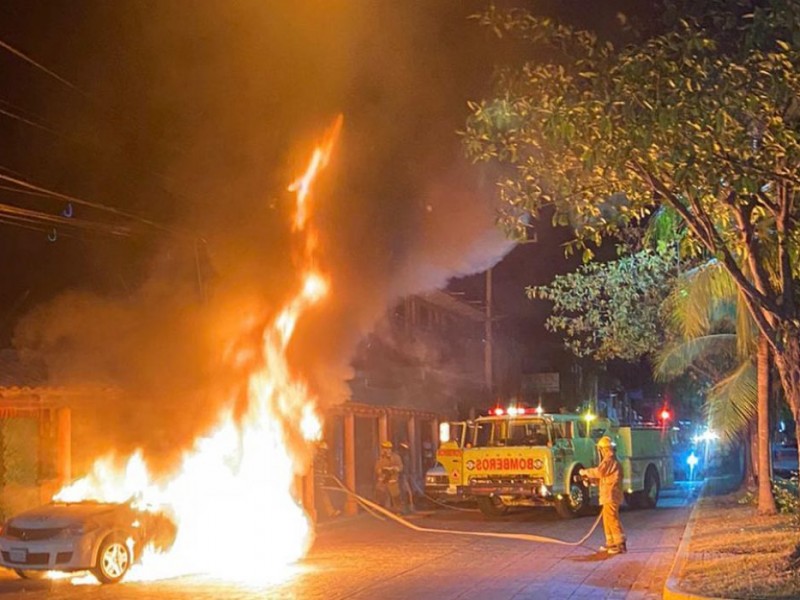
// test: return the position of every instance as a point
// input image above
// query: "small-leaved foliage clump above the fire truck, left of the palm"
(611, 310)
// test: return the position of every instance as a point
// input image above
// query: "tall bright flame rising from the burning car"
(234, 496)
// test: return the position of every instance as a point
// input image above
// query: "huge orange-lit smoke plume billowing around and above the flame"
(228, 98)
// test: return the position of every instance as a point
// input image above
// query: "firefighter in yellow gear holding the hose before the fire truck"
(609, 475)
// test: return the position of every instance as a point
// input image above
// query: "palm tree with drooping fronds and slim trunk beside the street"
(717, 338)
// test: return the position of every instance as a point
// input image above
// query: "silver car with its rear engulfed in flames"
(102, 537)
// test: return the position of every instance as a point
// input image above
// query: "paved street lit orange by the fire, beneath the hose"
(367, 559)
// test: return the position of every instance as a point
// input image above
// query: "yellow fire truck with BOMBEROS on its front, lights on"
(523, 457)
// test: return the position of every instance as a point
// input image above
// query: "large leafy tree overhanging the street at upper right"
(703, 118)
